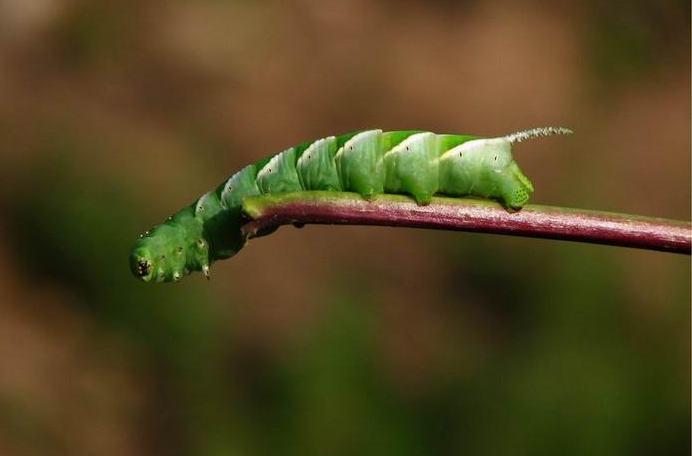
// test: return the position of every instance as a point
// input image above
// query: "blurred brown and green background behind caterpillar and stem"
(338, 340)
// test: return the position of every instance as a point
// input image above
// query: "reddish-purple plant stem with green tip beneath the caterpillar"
(268, 212)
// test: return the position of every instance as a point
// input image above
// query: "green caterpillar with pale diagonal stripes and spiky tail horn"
(370, 162)
